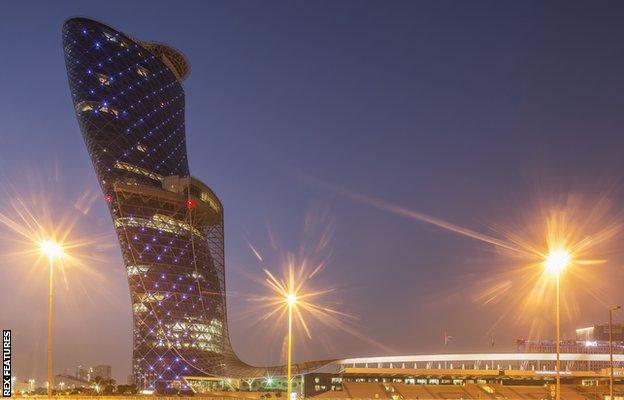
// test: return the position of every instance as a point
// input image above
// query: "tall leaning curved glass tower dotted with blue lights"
(129, 102)
